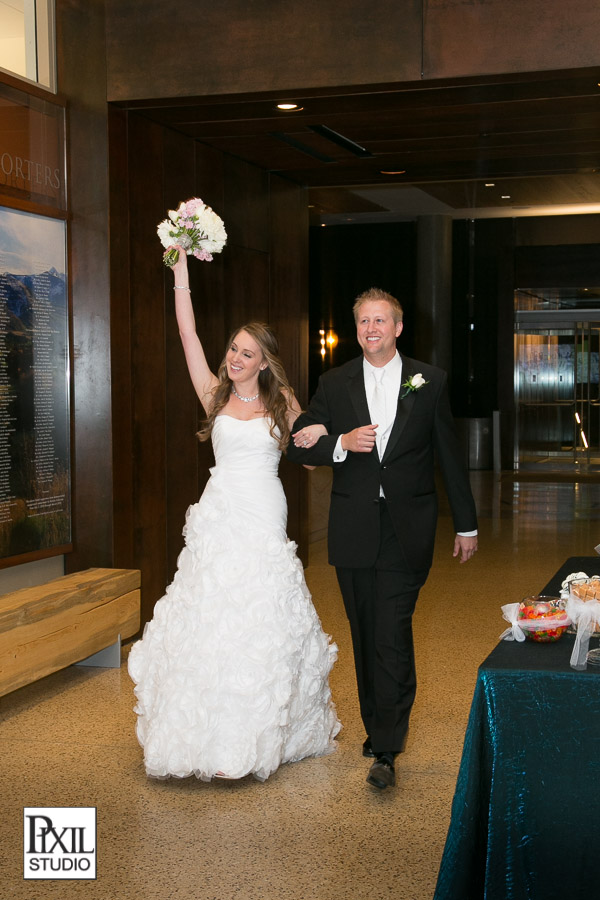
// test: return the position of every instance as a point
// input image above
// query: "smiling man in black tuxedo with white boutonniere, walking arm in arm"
(387, 418)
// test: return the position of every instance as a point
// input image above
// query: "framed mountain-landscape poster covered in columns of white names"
(35, 480)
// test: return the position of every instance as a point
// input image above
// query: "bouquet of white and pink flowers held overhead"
(195, 227)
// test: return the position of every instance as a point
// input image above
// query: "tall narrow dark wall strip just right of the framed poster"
(82, 78)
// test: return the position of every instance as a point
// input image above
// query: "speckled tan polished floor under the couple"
(315, 829)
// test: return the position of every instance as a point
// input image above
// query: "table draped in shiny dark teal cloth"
(525, 821)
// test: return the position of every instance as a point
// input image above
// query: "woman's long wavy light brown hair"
(274, 388)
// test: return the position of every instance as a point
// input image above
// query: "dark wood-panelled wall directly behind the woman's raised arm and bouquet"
(261, 274)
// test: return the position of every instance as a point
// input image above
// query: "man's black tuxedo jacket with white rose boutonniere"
(423, 429)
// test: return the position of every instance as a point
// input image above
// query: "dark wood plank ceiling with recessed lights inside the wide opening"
(537, 134)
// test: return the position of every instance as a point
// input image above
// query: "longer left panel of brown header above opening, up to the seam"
(240, 46)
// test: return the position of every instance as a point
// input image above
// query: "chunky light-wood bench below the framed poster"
(48, 627)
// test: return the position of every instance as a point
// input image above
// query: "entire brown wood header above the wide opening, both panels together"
(270, 47)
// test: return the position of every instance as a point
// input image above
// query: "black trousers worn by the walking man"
(380, 602)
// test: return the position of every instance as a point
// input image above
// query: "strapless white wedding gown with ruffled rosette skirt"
(232, 673)
